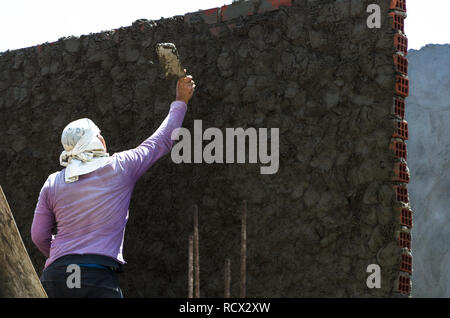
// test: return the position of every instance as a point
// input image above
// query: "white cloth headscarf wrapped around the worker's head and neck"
(83, 150)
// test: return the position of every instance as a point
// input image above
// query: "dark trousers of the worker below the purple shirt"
(94, 283)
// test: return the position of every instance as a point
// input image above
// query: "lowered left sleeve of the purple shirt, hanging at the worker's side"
(43, 221)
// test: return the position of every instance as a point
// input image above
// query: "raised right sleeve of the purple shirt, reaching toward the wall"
(135, 162)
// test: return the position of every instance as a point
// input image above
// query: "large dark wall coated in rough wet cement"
(314, 70)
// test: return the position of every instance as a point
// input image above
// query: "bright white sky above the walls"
(25, 23)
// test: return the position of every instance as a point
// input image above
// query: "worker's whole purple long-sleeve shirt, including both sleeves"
(91, 213)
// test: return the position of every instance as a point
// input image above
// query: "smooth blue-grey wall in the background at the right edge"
(428, 115)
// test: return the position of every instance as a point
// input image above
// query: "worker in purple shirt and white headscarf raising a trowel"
(87, 203)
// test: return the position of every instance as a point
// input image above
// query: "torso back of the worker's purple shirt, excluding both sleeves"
(91, 213)
